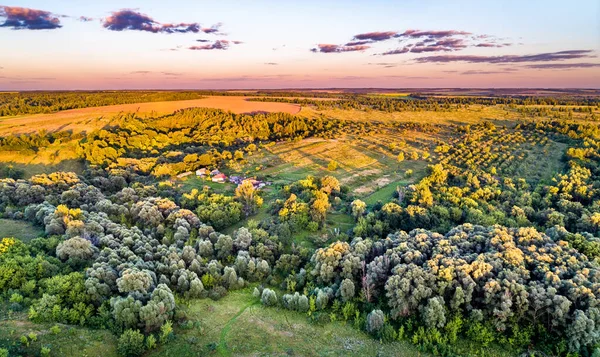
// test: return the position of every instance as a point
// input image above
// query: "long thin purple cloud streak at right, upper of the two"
(541, 57)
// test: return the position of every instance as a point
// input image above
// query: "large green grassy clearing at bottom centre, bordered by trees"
(238, 325)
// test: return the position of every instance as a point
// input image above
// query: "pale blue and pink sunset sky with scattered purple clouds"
(200, 44)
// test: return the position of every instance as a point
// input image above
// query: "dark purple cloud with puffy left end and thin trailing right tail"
(127, 19)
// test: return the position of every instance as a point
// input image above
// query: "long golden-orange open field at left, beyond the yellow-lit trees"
(87, 119)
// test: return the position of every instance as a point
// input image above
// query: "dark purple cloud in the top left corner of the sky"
(21, 18)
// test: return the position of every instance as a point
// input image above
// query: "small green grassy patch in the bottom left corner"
(70, 341)
